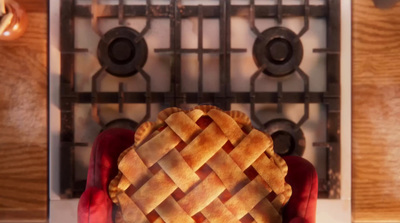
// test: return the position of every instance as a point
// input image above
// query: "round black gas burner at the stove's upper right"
(280, 49)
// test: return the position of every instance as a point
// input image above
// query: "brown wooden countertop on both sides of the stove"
(376, 116)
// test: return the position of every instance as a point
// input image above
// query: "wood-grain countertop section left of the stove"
(23, 120)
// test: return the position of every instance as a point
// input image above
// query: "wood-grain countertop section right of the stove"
(376, 113)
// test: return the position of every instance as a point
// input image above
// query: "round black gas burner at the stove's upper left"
(121, 53)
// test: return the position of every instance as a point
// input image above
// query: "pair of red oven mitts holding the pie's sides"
(95, 205)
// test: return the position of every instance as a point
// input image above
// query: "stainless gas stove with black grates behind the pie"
(117, 63)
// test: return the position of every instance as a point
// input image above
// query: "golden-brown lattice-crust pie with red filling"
(202, 165)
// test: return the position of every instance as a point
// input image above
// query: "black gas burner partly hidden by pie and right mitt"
(287, 139)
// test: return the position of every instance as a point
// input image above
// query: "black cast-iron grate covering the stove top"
(175, 12)
